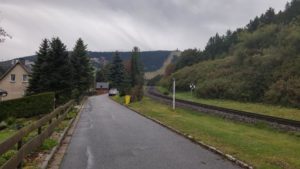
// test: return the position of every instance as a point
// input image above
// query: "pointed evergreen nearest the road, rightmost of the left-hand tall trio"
(81, 68)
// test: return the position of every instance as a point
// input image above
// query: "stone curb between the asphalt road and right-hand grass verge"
(192, 139)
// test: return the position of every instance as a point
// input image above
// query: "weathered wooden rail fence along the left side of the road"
(49, 122)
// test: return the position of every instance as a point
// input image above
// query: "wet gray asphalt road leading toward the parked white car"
(110, 136)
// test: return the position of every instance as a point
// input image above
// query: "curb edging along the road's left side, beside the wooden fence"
(73, 122)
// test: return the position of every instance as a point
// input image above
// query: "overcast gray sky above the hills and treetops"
(107, 25)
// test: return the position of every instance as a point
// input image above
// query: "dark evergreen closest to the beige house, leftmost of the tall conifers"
(36, 82)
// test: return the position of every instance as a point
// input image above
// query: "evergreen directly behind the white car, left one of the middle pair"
(117, 74)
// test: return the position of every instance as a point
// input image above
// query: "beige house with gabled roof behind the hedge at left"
(15, 81)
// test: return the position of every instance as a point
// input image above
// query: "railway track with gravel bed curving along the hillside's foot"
(228, 113)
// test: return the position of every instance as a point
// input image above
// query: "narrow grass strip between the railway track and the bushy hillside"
(271, 110)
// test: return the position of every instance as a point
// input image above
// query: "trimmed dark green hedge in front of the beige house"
(27, 106)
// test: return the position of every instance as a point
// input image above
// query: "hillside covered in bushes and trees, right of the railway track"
(258, 63)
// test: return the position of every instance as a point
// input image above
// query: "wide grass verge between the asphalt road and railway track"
(258, 145)
